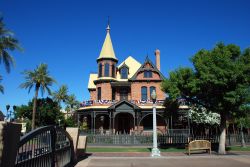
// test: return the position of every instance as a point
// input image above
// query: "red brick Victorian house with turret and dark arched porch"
(120, 99)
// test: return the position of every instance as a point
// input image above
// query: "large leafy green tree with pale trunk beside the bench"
(219, 82)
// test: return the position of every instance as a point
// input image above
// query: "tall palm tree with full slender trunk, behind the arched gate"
(40, 79)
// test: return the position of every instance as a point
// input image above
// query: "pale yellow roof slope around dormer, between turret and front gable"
(133, 66)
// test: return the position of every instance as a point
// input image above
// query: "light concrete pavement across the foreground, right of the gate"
(204, 160)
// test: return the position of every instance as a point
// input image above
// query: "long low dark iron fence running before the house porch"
(165, 139)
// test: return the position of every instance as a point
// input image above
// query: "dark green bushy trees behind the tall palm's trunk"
(48, 112)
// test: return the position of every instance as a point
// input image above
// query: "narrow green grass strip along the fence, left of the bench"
(99, 149)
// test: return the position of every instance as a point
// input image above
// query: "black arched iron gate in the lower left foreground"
(45, 147)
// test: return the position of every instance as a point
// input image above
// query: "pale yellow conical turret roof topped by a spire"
(107, 51)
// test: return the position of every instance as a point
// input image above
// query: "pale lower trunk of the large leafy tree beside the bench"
(222, 142)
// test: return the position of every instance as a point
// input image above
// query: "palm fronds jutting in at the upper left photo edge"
(7, 43)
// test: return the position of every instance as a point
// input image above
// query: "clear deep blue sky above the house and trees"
(68, 36)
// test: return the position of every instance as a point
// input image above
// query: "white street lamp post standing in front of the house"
(155, 151)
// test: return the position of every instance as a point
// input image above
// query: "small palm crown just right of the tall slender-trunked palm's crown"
(61, 95)
